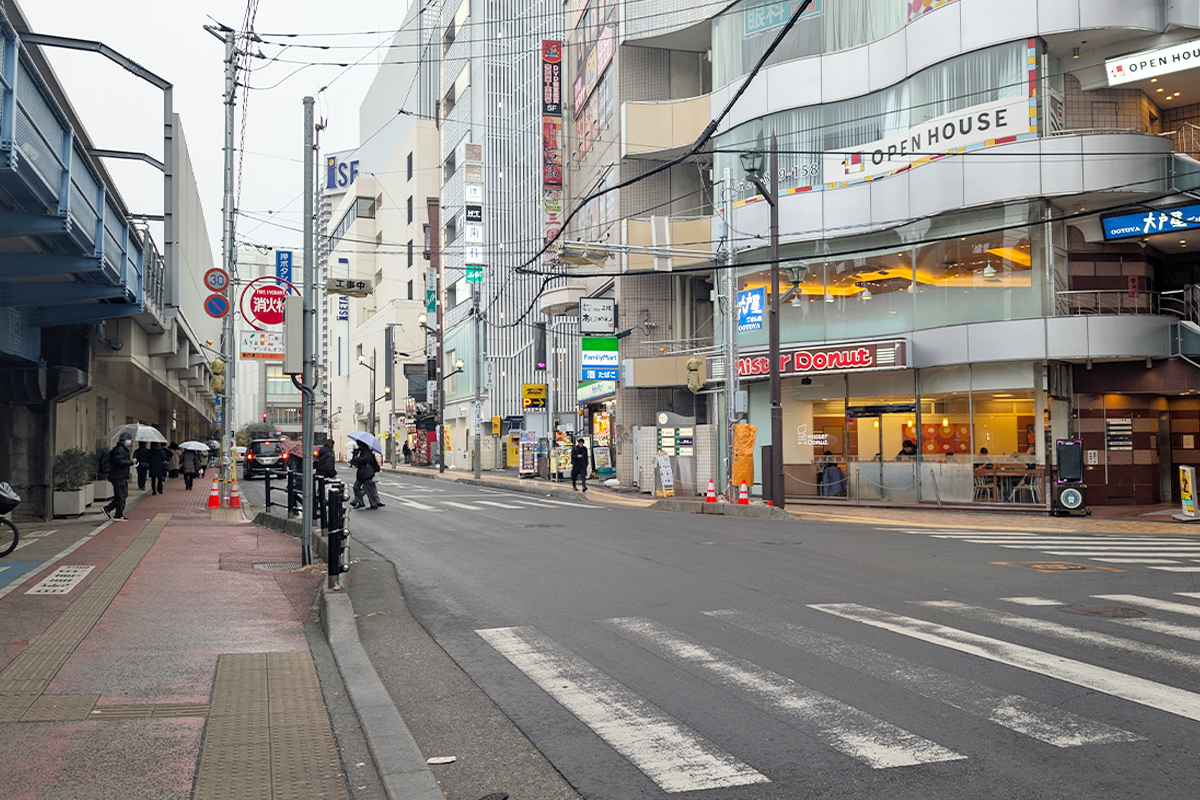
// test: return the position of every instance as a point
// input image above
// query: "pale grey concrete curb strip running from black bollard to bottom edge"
(398, 760)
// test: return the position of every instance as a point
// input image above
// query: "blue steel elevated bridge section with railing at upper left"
(69, 251)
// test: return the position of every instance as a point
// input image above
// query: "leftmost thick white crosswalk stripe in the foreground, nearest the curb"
(670, 754)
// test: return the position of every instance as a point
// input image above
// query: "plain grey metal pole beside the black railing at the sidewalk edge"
(310, 330)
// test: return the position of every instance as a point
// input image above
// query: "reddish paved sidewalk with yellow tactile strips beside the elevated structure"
(166, 658)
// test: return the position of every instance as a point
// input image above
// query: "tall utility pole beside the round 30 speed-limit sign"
(231, 262)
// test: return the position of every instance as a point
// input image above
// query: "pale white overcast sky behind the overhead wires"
(122, 112)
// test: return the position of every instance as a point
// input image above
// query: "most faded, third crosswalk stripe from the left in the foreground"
(1013, 712)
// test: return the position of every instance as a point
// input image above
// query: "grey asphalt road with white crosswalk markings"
(651, 654)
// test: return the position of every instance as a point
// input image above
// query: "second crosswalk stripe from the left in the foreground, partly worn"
(856, 733)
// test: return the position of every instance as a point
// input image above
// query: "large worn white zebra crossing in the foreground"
(823, 707)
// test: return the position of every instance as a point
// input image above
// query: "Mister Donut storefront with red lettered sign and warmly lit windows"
(855, 405)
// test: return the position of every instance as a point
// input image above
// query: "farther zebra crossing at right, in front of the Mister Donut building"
(1163, 554)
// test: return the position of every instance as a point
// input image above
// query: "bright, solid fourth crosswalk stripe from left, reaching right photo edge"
(1120, 685)
